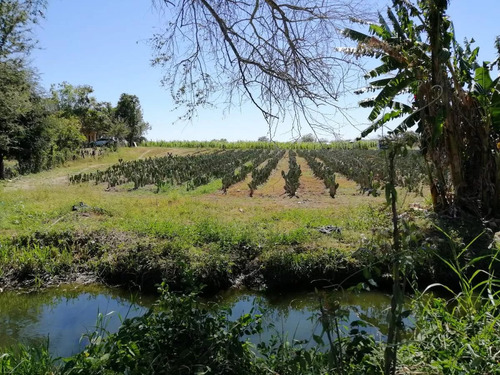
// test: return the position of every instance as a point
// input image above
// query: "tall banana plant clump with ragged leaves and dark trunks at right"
(455, 108)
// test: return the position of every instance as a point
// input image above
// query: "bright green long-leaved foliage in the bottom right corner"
(458, 334)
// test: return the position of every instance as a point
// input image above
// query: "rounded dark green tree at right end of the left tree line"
(128, 110)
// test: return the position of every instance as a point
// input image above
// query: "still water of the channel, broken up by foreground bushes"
(62, 315)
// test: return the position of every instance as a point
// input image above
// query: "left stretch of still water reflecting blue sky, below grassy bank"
(61, 315)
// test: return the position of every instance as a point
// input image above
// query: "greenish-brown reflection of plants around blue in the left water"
(19, 310)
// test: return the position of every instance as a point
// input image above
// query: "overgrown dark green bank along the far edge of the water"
(142, 262)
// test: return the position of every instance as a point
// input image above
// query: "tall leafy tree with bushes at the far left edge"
(25, 133)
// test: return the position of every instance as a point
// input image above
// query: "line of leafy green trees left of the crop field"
(38, 129)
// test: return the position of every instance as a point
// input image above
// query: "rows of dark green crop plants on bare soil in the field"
(366, 167)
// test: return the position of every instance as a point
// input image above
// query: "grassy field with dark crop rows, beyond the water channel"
(138, 226)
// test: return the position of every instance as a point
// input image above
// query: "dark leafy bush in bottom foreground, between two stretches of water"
(177, 337)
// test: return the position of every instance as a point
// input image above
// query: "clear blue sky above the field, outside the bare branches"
(103, 43)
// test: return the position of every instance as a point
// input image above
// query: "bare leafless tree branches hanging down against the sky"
(280, 55)
